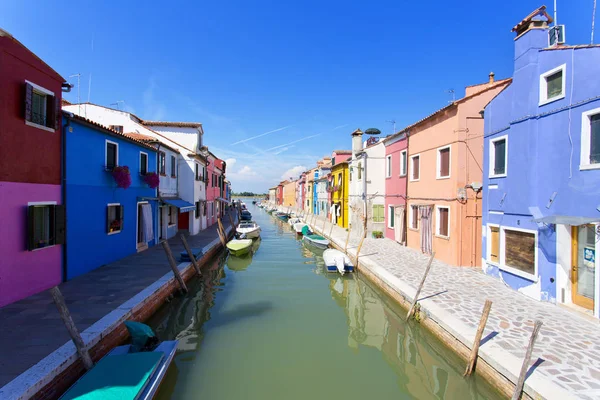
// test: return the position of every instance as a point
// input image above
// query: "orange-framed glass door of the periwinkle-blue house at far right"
(583, 265)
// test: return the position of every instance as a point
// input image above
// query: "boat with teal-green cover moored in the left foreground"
(127, 372)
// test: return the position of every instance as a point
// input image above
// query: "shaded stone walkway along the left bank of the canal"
(31, 329)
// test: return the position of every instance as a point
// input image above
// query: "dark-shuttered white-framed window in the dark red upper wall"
(41, 107)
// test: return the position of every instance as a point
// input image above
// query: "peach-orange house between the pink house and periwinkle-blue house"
(445, 155)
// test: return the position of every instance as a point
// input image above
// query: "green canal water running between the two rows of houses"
(274, 325)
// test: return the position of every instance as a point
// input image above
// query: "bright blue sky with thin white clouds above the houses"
(308, 72)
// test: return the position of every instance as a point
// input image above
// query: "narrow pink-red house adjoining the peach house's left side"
(396, 169)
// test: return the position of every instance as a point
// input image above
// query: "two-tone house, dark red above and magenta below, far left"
(32, 227)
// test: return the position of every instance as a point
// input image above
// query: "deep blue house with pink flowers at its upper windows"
(105, 222)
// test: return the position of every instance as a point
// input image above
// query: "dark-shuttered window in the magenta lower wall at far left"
(45, 225)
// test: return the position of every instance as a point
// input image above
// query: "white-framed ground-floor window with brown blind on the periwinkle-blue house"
(518, 251)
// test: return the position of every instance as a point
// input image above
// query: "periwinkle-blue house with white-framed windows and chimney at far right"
(541, 185)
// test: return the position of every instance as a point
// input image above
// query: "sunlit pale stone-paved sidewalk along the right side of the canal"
(567, 351)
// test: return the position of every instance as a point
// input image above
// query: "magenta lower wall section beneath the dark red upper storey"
(22, 272)
